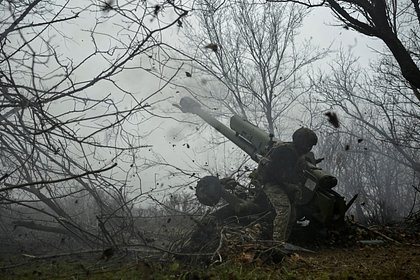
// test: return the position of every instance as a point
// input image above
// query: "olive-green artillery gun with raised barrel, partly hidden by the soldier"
(318, 202)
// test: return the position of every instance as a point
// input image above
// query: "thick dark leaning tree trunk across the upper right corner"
(396, 23)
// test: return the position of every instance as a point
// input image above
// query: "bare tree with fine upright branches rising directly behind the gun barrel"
(251, 55)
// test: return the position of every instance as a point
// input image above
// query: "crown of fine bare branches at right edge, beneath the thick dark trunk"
(380, 101)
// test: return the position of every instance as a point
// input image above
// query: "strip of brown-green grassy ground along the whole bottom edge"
(384, 261)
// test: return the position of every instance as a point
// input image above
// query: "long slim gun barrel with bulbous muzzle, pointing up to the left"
(189, 105)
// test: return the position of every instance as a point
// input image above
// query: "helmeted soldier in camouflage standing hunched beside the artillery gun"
(281, 173)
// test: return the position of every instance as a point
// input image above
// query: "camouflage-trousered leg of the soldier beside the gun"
(285, 214)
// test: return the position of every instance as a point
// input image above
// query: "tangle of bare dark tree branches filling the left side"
(67, 115)
